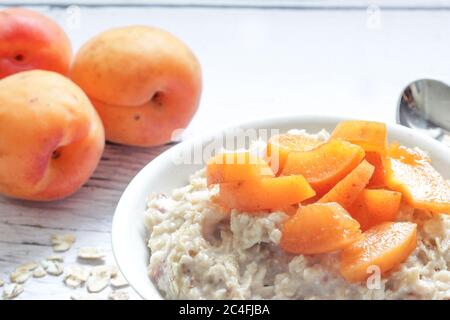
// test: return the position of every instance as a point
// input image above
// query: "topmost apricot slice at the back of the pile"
(370, 135)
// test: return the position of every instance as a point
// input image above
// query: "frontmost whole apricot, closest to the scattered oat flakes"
(51, 137)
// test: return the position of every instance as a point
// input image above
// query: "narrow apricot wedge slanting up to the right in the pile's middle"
(346, 191)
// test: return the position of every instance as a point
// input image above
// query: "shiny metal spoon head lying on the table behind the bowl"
(425, 105)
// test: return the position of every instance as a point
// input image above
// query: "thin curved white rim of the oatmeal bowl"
(258, 123)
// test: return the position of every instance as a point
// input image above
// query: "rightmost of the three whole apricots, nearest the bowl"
(144, 82)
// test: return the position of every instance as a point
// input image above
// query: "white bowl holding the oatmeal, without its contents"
(162, 174)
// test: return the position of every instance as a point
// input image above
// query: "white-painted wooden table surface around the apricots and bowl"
(256, 63)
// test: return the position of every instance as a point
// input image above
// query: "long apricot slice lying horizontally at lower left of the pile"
(264, 194)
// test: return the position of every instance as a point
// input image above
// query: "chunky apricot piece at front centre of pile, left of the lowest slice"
(319, 228)
